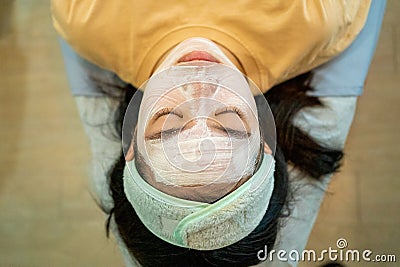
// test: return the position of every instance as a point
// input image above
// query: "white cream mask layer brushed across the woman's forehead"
(198, 157)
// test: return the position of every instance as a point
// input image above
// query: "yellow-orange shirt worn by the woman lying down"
(274, 40)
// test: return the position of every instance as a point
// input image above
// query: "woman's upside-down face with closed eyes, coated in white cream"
(198, 121)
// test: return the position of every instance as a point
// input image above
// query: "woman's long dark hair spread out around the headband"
(293, 145)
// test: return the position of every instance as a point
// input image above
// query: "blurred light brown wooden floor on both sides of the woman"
(47, 216)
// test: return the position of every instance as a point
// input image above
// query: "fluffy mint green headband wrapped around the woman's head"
(197, 225)
